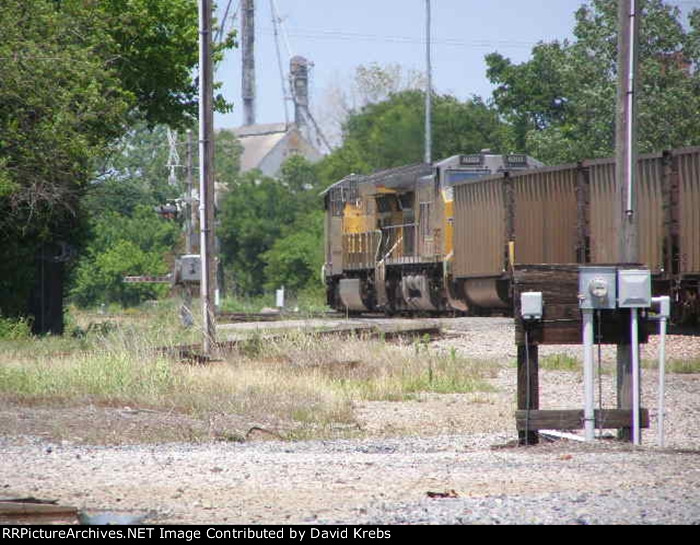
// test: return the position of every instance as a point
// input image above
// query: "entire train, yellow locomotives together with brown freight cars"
(446, 237)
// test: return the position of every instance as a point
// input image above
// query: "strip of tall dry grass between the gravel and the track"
(304, 381)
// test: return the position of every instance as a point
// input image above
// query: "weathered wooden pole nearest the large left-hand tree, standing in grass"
(206, 175)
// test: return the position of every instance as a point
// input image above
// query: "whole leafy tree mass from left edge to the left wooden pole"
(75, 74)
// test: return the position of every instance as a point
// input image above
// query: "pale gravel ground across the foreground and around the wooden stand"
(438, 460)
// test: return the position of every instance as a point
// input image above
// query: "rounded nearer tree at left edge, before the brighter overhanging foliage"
(59, 107)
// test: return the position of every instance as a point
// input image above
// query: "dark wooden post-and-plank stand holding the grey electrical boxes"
(561, 323)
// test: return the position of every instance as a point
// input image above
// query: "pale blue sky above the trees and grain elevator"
(339, 35)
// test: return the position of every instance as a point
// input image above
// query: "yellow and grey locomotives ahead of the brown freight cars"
(389, 240)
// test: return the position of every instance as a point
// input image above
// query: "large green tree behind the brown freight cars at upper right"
(560, 104)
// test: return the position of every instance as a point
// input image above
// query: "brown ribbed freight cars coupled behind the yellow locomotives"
(566, 214)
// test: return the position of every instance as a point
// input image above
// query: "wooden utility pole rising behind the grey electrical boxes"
(626, 171)
